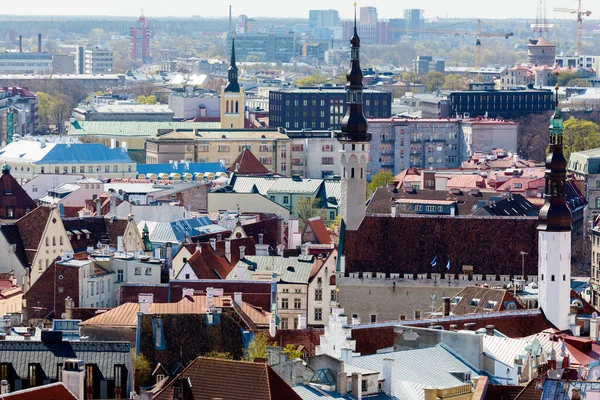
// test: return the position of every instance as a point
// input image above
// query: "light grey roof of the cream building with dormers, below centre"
(289, 269)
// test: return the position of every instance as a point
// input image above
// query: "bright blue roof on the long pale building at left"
(84, 153)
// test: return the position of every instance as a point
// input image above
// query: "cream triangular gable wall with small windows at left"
(54, 241)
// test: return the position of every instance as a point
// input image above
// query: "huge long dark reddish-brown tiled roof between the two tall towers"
(395, 245)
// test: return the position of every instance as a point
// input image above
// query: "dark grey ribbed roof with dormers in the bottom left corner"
(103, 354)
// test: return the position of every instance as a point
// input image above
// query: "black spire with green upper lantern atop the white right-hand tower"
(555, 216)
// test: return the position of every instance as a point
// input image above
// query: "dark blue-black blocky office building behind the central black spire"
(321, 108)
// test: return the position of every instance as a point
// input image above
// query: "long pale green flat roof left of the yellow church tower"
(129, 128)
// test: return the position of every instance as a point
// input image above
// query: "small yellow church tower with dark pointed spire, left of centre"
(232, 98)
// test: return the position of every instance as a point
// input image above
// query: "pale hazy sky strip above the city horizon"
(286, 8)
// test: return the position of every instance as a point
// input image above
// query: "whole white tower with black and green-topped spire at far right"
(554, 230)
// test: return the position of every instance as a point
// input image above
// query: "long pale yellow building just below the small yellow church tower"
(271, 147)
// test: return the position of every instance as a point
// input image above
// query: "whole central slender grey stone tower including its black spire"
(355, 140)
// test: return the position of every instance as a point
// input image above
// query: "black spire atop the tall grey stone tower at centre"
(354, 124)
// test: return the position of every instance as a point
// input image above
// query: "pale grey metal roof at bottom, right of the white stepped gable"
(419, 368)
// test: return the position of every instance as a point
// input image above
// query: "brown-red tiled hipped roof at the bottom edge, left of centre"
(245, 380)
